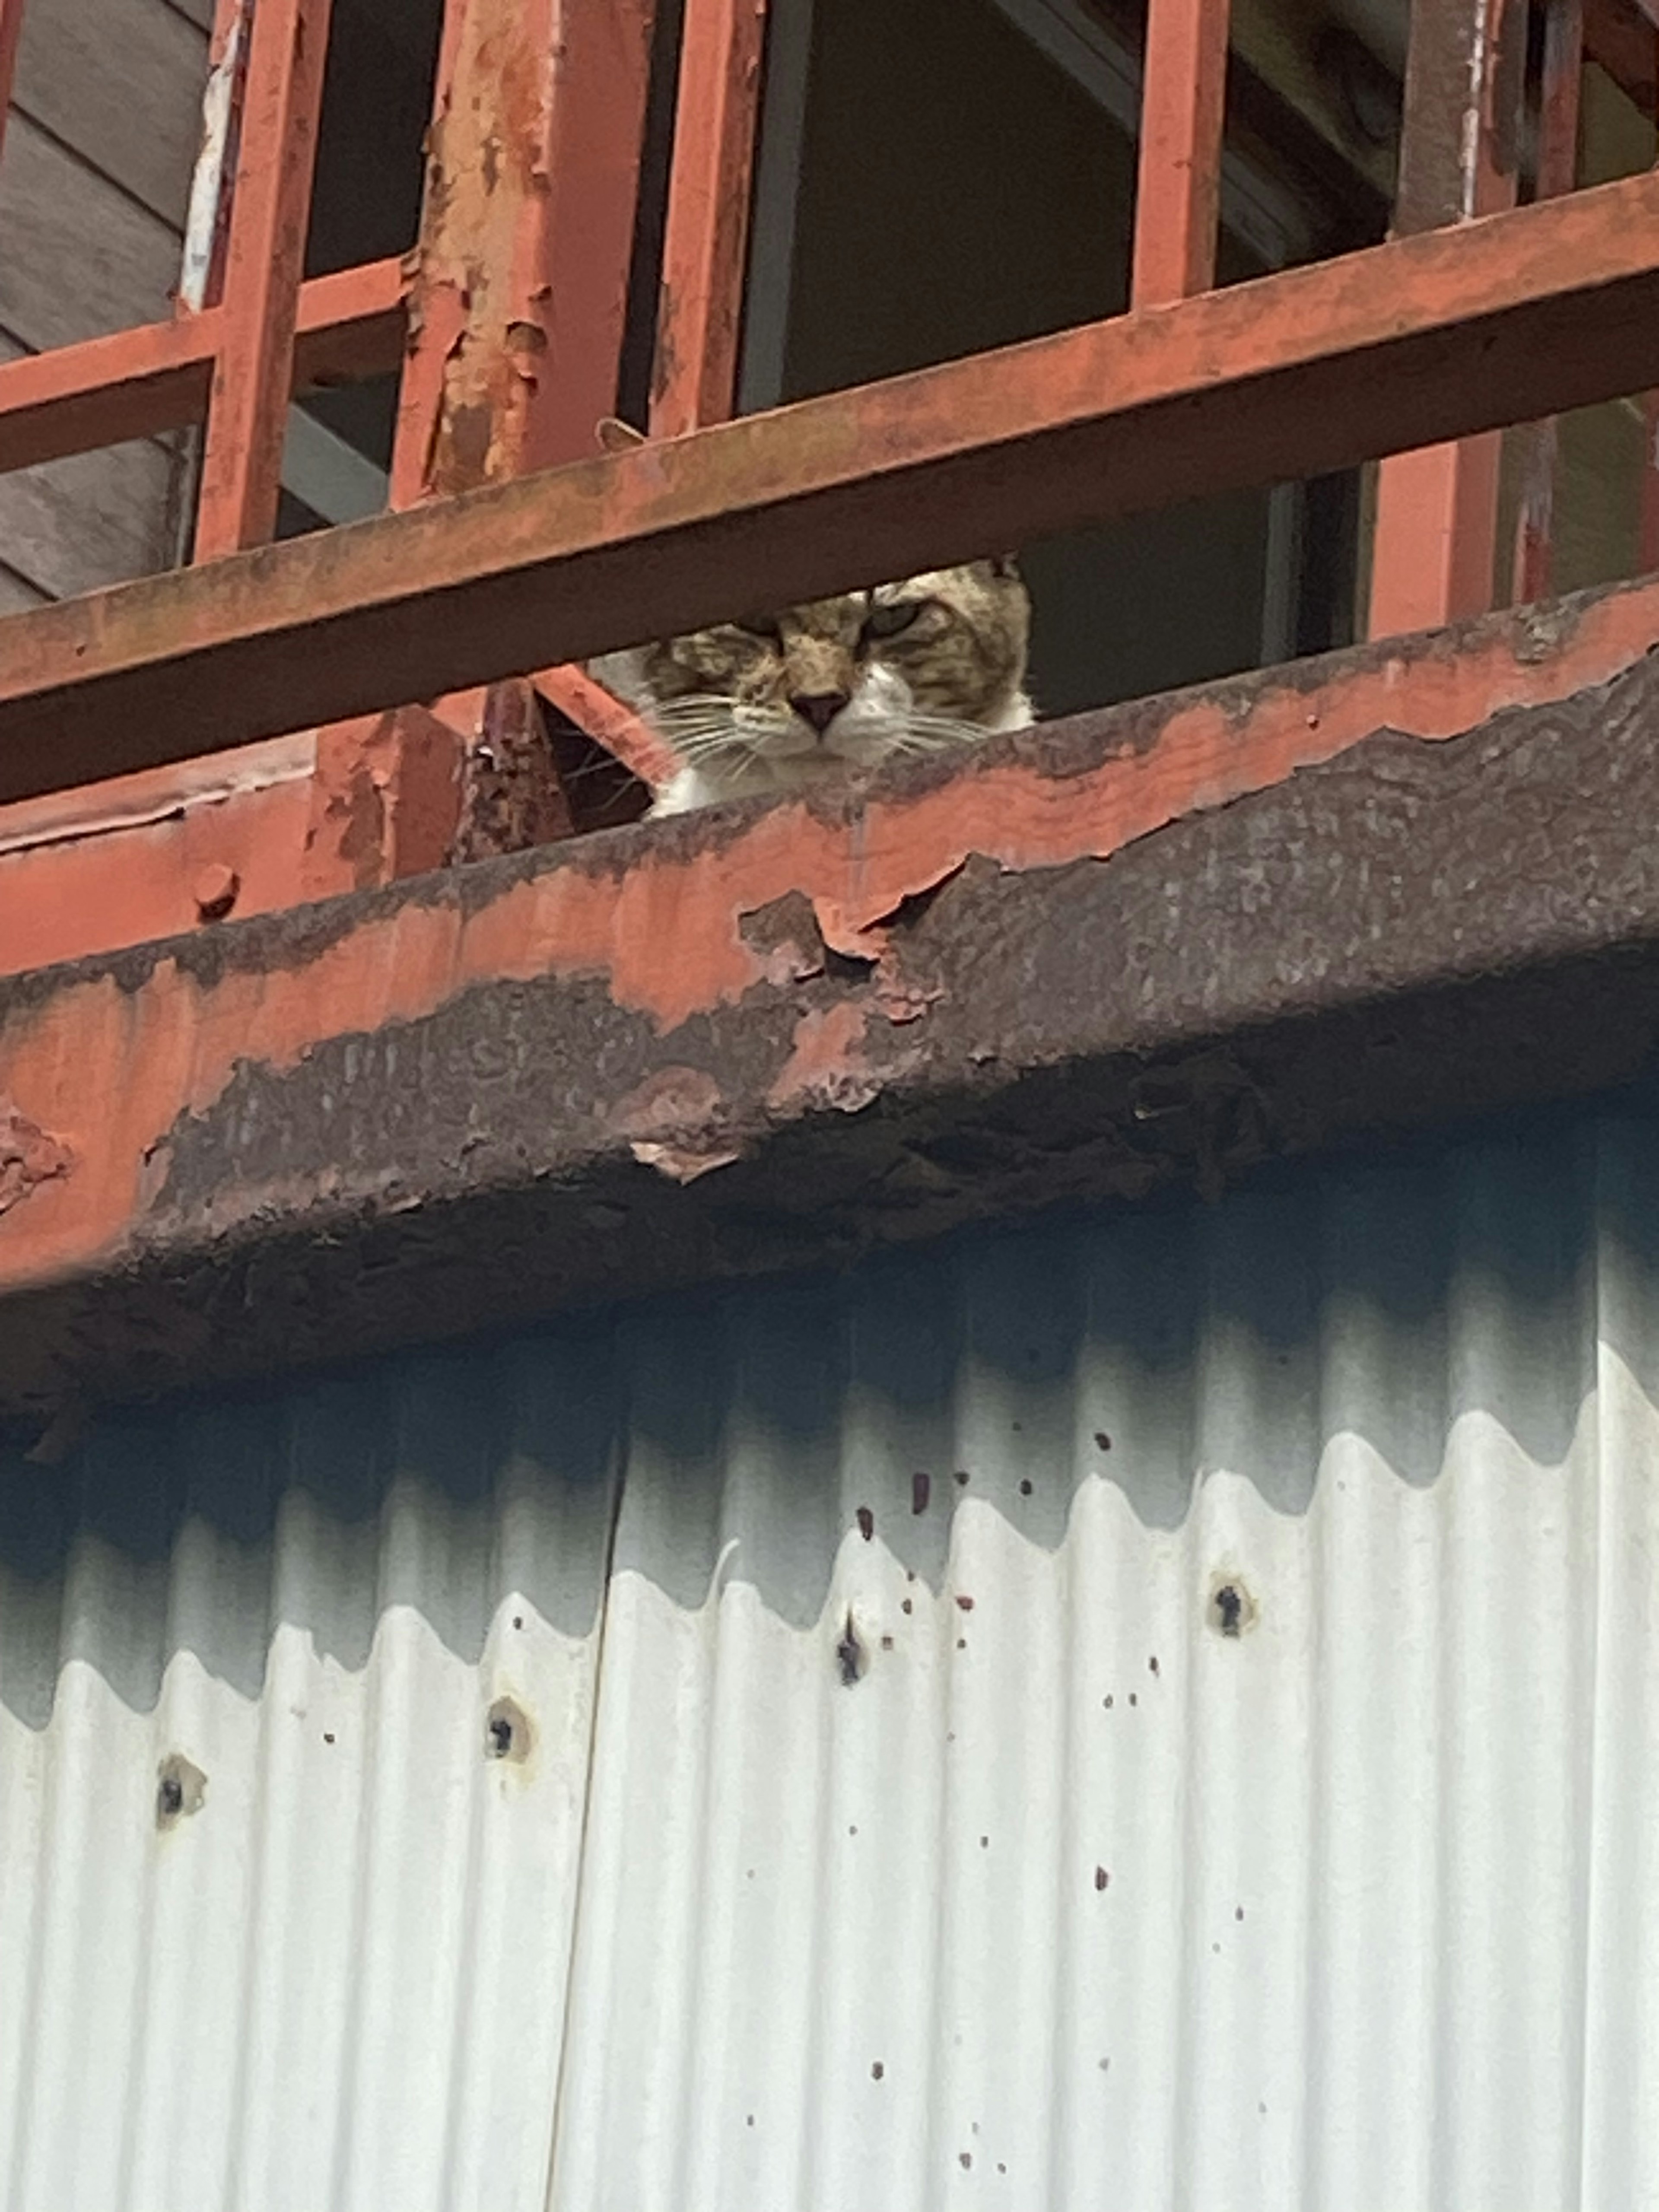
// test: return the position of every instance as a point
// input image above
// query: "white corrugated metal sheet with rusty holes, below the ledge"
(897, 1819)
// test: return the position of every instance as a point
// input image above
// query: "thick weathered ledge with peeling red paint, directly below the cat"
(1072, 968)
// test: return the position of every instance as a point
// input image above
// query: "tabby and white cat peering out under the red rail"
(782, 702)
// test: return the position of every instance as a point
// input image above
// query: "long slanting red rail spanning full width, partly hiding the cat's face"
(1317, 368)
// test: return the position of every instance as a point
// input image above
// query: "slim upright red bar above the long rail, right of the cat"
(1178, 200)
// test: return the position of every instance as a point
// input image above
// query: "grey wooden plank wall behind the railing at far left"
(94, 185)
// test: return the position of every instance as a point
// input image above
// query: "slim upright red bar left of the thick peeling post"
(253, 375)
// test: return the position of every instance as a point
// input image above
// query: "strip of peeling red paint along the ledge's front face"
(665, 919)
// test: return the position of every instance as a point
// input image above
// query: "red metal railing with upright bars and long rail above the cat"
(508, 550)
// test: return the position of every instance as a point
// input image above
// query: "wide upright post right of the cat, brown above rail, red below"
(1437, 514)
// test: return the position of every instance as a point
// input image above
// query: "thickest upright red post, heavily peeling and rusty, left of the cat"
(519, 304)
